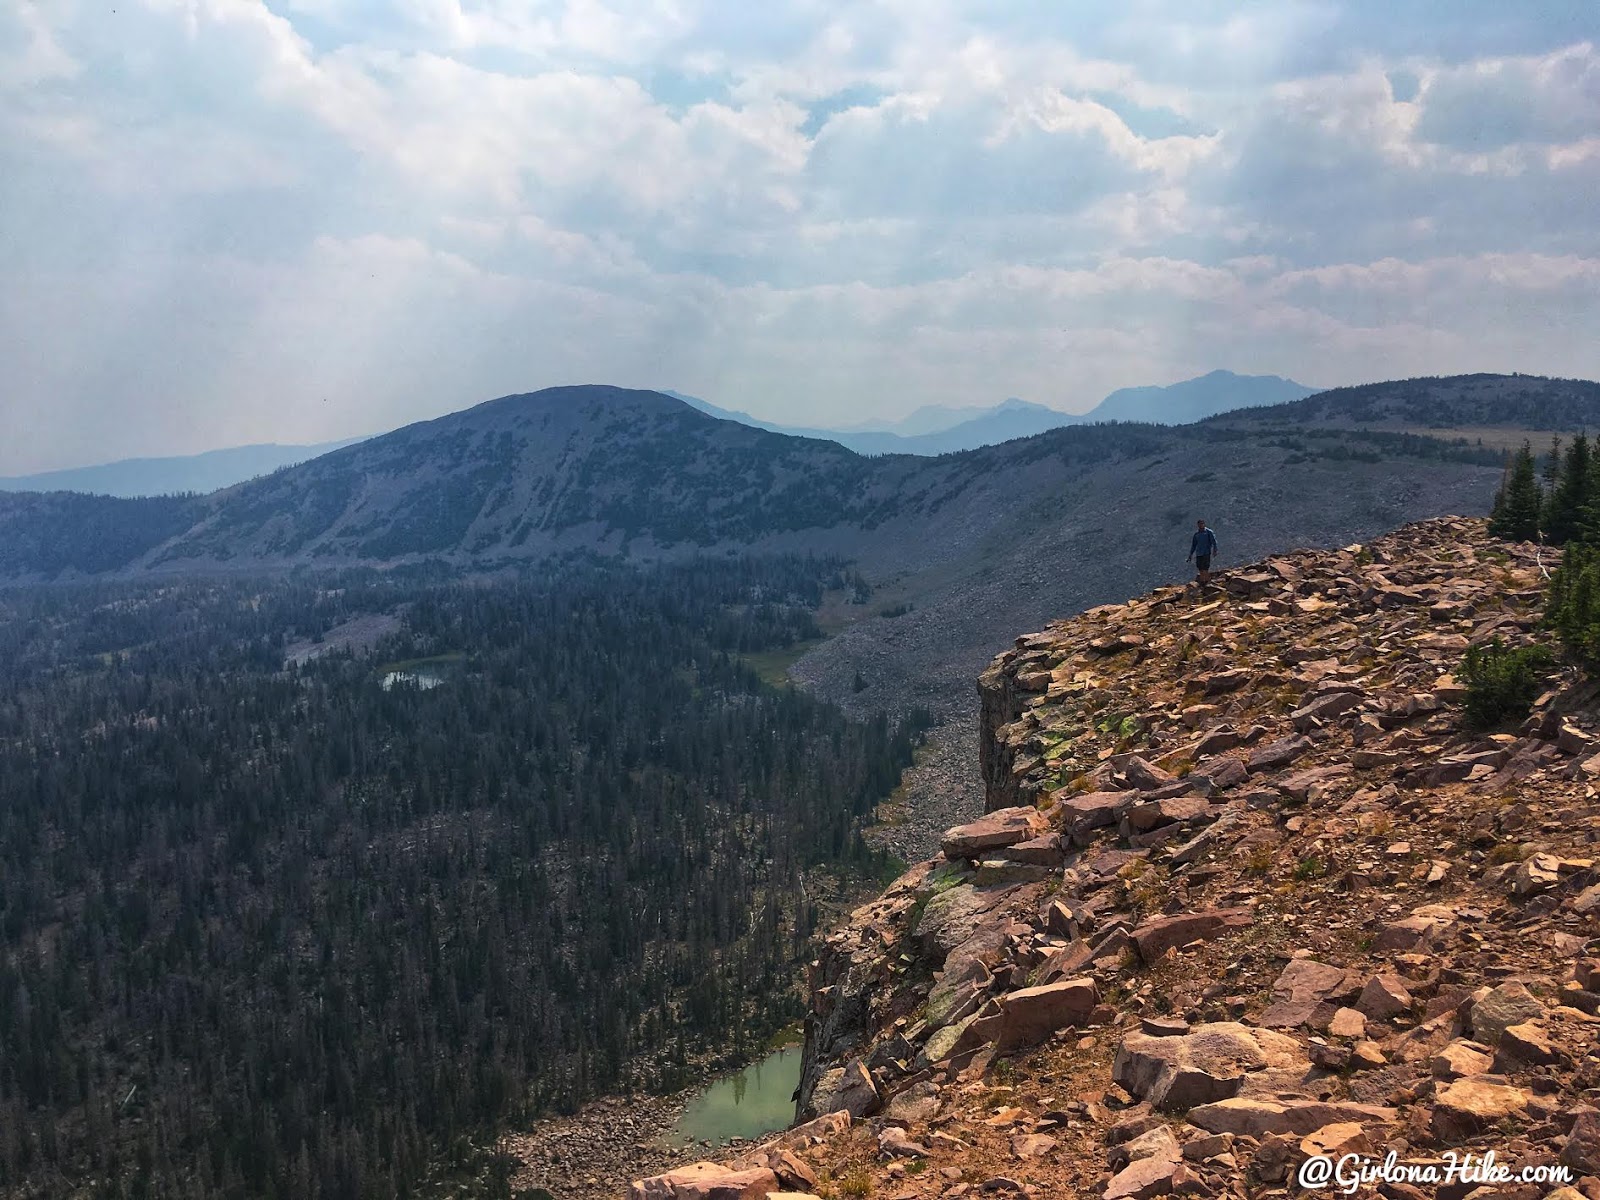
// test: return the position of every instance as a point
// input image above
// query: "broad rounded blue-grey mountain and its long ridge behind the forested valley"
(620, 473)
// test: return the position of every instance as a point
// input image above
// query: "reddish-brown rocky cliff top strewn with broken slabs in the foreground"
(1249, 890)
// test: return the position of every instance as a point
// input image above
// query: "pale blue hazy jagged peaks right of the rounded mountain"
(937, 430)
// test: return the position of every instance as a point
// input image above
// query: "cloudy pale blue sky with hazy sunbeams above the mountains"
(226, 222)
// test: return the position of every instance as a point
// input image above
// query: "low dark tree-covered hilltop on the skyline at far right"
(1465, 404)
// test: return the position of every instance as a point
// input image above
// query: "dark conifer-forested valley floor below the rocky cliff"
(326, 927)
